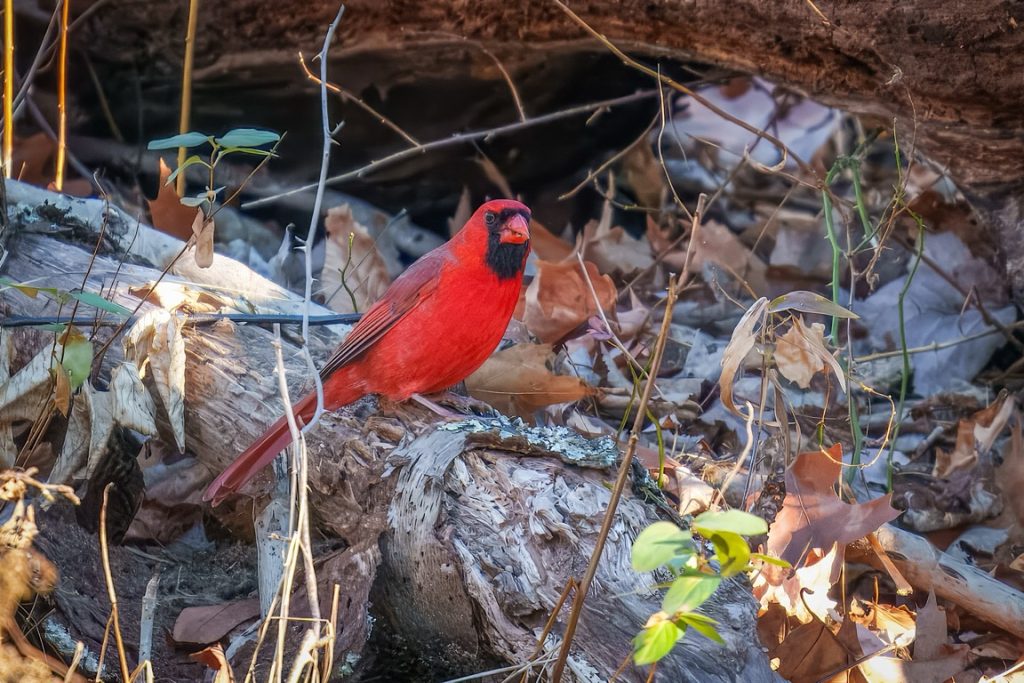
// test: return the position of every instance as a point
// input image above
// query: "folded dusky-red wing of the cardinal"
(405, 294)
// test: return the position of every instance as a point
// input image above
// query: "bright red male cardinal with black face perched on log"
(436, 325)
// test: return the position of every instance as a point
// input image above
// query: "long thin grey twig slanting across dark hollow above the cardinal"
(456, 140)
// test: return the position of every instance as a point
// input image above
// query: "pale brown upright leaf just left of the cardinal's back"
(367, 276)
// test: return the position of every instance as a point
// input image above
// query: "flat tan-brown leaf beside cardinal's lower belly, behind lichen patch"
(517, 381)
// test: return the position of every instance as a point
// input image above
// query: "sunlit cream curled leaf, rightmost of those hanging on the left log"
(155, 341)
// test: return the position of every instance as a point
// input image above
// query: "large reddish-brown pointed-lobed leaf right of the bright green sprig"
(814, 517)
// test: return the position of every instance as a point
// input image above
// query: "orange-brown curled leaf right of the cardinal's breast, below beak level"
(560, 301)
